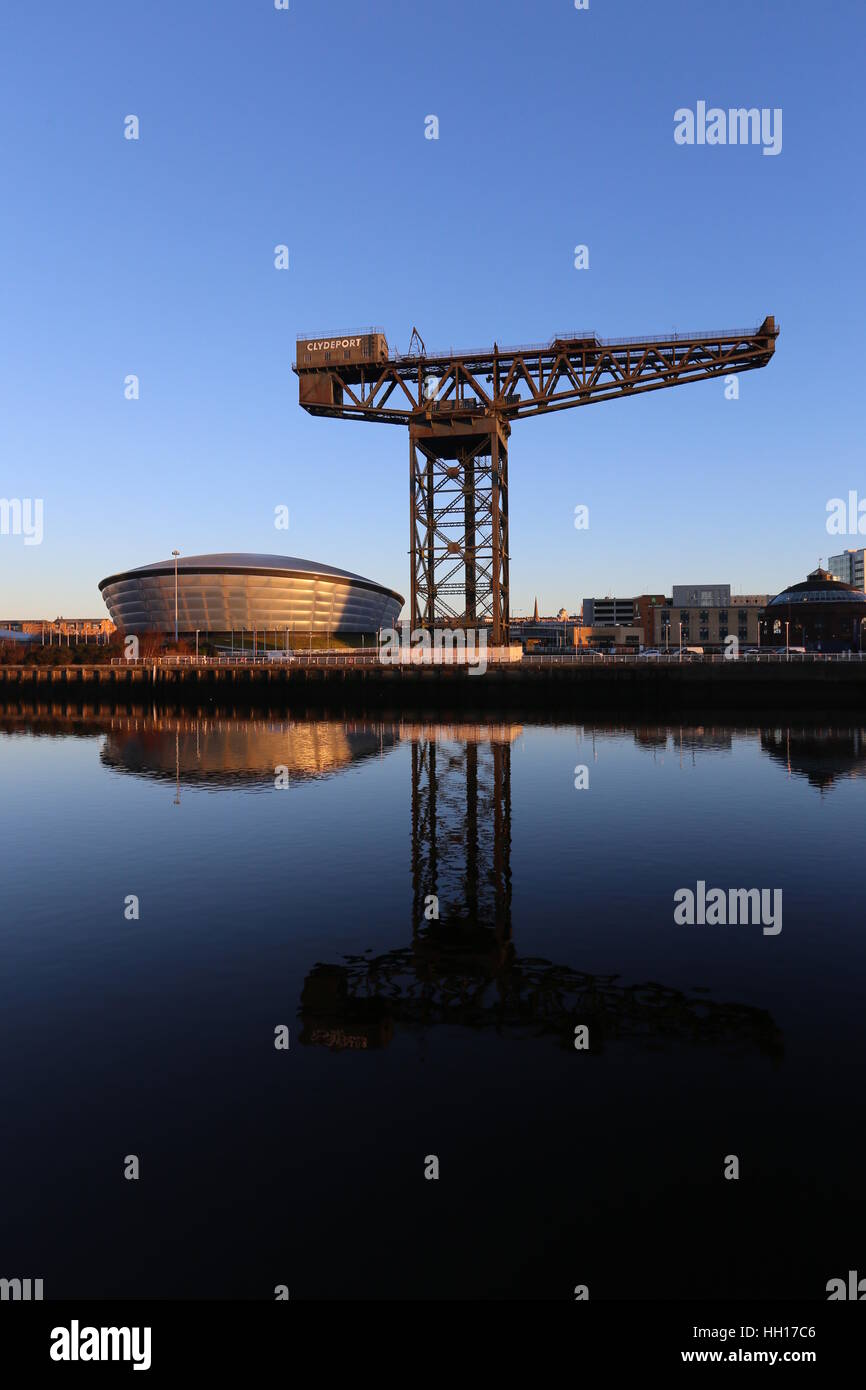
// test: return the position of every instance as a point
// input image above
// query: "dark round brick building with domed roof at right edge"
(822, 614)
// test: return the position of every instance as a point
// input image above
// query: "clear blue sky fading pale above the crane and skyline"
(308, 129)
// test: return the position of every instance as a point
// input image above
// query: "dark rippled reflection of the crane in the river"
(462, 965)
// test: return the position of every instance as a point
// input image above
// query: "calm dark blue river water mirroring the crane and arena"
(305, 906)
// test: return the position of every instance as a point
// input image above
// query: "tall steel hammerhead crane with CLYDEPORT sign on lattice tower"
(459, 408)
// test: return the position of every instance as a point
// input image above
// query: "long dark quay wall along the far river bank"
(568, 687)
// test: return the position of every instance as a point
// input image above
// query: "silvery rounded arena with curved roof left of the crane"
(280, 598)
